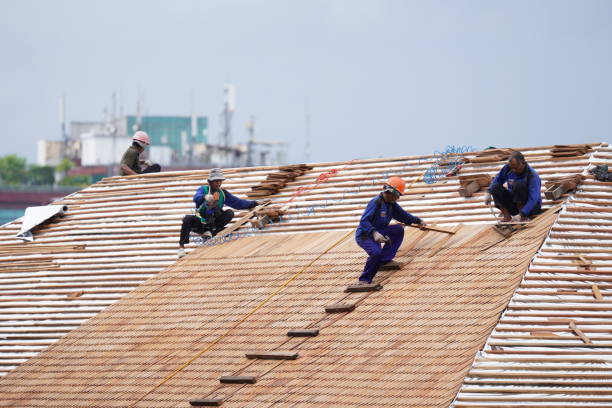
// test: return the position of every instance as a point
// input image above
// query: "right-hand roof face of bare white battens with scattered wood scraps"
(553, 344)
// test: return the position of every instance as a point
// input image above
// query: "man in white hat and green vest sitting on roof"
(210, 217)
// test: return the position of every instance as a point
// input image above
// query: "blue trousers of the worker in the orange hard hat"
(379, 255)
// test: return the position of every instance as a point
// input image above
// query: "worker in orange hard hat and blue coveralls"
(374, 228)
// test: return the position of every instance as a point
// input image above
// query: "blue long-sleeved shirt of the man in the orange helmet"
(377, 216)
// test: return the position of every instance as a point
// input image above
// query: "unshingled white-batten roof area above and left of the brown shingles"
(121, 231)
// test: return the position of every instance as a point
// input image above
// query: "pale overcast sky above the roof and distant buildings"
(379, 78)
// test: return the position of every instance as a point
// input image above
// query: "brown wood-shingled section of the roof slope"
(409, 344)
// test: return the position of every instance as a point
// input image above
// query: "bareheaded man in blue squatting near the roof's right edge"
(522, 199)
